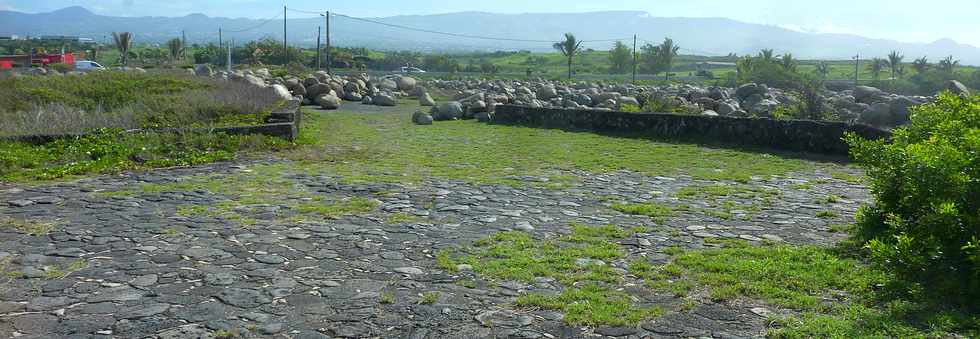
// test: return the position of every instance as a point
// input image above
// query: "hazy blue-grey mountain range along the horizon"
(702, 36)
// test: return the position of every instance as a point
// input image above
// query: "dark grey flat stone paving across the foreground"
(326, 279)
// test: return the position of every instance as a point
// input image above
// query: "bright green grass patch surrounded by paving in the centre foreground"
(579, 261)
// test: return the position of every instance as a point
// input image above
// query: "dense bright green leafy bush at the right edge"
(925, 222)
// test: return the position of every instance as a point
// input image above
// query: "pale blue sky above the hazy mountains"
(903, 20)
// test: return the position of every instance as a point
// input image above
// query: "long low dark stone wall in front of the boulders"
(823, 137)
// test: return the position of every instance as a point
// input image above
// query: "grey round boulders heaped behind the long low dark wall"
(862, 104)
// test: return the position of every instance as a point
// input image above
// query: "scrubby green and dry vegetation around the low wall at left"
(101, 107)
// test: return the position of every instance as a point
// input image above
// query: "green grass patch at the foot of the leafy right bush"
(832, 296)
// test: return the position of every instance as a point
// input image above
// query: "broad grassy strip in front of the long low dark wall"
(372, 146)
